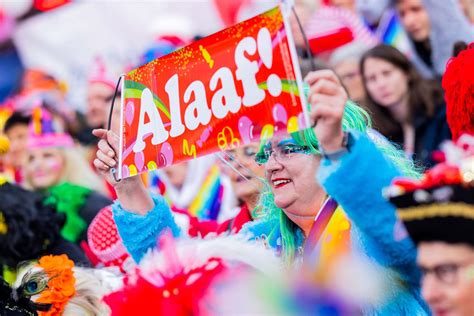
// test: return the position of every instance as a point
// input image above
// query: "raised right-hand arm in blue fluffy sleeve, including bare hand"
(354, 172)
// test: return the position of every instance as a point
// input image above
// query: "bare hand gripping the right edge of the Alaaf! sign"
(327, 98)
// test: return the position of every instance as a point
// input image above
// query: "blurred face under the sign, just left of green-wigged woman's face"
(243, 160)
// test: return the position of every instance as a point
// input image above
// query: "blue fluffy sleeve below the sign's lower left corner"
(140, 232)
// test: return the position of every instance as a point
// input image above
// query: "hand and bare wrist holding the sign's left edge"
(131, 192)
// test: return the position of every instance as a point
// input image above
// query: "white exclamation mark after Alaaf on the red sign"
(265, 50)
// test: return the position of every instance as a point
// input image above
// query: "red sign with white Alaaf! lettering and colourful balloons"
(234, 87)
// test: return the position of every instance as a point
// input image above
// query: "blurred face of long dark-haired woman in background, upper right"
(385, 83)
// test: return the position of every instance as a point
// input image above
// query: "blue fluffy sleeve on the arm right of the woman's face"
(356, 181)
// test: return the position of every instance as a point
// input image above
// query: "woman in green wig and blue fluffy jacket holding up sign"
(323, 182)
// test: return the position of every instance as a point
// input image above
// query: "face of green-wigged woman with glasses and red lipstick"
(291, 173)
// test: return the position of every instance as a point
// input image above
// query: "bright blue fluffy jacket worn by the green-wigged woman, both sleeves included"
(355, 181)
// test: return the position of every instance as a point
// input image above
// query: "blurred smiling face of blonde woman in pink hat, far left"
(44, 167)
